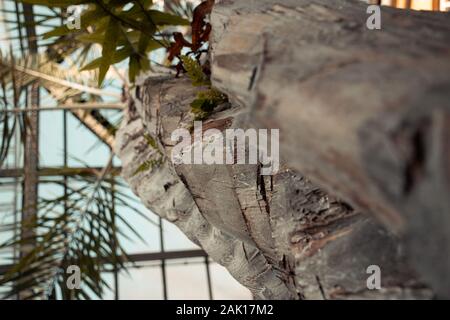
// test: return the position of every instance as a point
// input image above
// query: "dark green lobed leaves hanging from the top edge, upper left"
(124, 29)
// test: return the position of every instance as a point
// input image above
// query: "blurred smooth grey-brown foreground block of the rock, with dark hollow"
(364, 114)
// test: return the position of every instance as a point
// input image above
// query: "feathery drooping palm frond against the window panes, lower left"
(77, 228)
